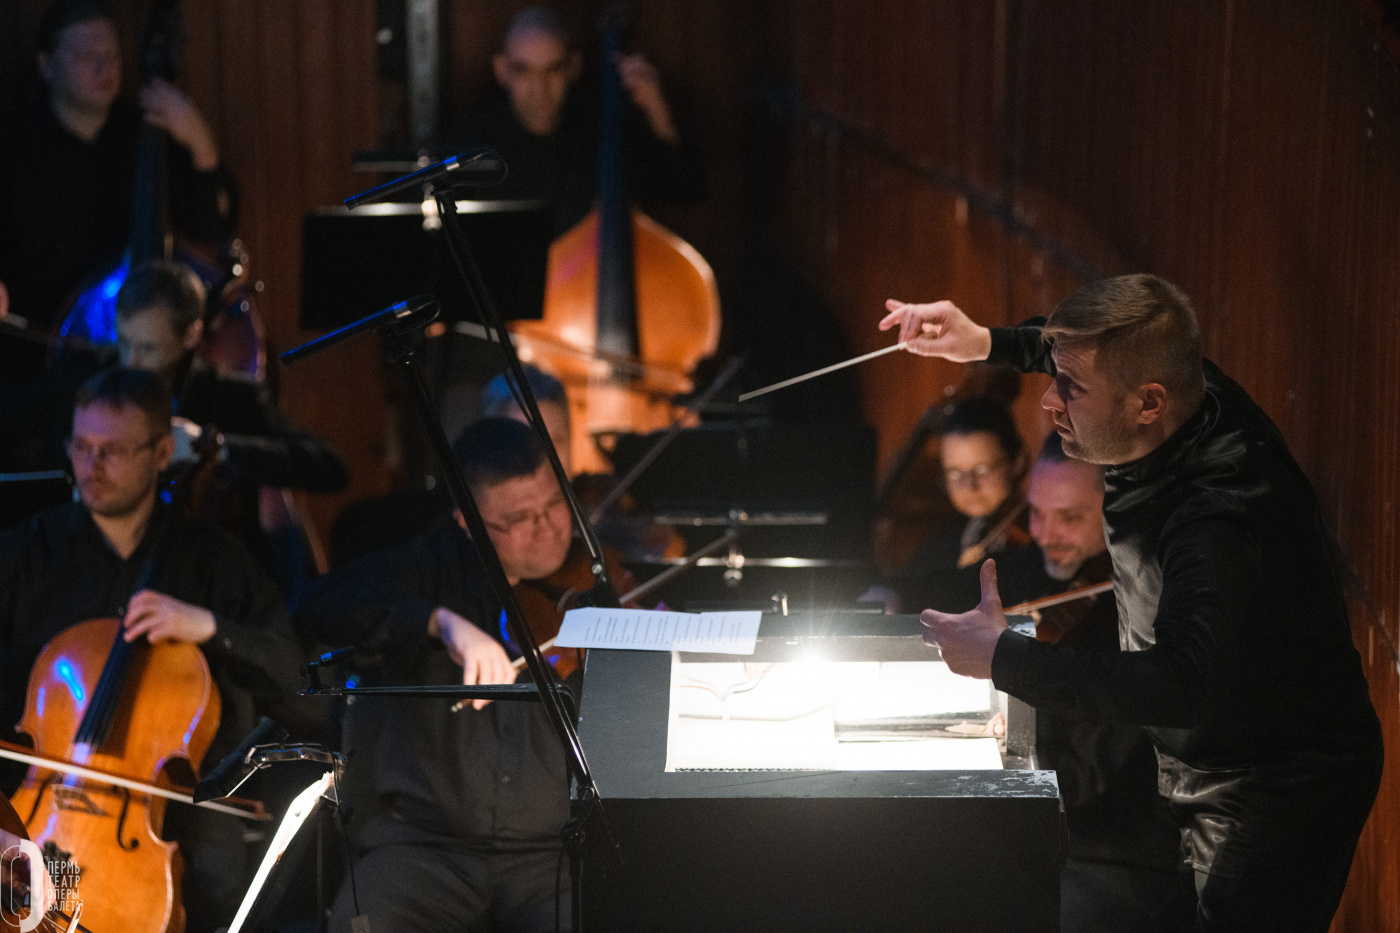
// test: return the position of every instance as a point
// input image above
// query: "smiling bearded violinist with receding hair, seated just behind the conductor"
(1121, 866)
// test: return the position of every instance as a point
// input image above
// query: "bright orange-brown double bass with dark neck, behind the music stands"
(635, 306)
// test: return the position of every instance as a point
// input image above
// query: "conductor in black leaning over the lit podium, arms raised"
(1237, 652)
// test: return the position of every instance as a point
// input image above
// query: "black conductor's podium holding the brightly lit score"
(808, 850)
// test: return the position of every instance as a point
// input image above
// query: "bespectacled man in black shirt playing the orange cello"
(80, 561)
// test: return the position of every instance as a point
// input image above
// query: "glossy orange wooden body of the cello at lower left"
(164, 712)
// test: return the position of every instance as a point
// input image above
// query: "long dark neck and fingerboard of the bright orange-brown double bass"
(617, 288)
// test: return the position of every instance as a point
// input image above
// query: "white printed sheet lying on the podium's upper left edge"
(652, 631)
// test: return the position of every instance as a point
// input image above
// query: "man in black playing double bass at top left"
(68, 166)
